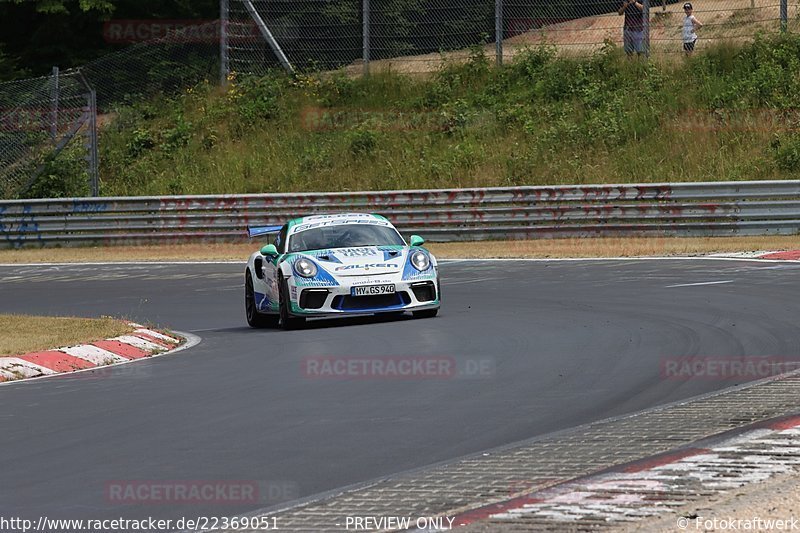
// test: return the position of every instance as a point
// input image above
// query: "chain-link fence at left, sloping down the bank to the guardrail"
(40, 117)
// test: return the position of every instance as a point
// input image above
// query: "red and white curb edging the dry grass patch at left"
(140, 343)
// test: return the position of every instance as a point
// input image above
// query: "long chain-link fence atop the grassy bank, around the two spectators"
(419, 35)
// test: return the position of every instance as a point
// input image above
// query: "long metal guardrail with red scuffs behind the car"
(677, 209)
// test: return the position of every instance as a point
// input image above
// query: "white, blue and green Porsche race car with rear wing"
(338, 265)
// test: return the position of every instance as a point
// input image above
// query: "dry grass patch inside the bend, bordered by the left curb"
(20, 334)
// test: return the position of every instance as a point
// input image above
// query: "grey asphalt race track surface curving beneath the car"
(539, 346)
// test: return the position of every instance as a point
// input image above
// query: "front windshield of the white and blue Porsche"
(344, 236)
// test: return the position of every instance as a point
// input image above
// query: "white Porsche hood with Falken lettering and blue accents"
(361, 261)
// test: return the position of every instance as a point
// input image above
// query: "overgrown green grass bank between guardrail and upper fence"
(541, 120)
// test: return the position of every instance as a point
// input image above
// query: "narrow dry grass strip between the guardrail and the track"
(542, 248)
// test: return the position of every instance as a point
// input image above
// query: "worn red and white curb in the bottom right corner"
(656, 485)
